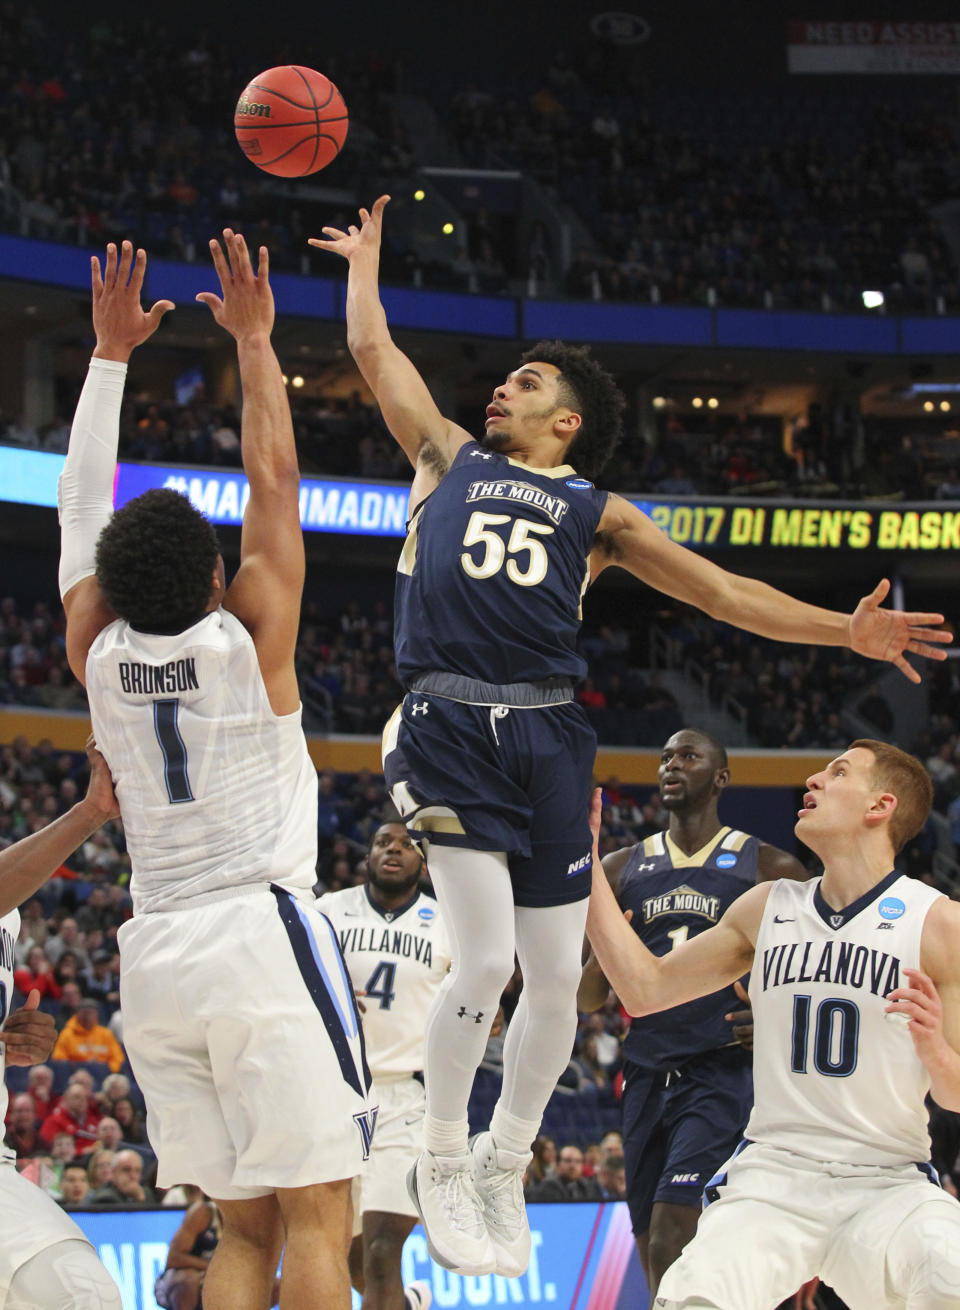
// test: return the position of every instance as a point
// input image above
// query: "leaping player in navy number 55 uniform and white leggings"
(489, 755)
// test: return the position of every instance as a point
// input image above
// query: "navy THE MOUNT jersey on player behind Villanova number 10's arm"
(676, 897)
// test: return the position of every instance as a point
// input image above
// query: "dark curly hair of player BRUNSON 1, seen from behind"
(155, 563)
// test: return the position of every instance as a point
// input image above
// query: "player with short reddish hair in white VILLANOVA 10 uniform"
(856, 994)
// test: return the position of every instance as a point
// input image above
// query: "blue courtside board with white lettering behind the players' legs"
(583, 1258)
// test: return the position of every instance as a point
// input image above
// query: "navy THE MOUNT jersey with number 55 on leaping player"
(493, 571)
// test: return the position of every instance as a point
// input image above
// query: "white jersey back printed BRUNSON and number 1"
(217, 792)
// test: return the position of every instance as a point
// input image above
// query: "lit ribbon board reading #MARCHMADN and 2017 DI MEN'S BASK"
(380, 510)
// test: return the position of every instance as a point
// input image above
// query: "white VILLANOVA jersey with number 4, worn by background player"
(397, 960)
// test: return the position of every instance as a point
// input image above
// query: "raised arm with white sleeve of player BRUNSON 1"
(86, 491)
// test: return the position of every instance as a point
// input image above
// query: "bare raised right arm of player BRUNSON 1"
(267, 591)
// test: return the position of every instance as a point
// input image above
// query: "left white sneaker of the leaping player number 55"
(443, 1191)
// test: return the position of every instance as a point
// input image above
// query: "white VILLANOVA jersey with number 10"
(835, 1079)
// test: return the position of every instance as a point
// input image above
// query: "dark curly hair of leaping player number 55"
(590, 391)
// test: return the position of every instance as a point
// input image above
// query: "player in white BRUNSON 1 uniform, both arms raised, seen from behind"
(234, 990)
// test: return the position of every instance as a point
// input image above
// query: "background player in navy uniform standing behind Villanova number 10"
(688, 1083)
